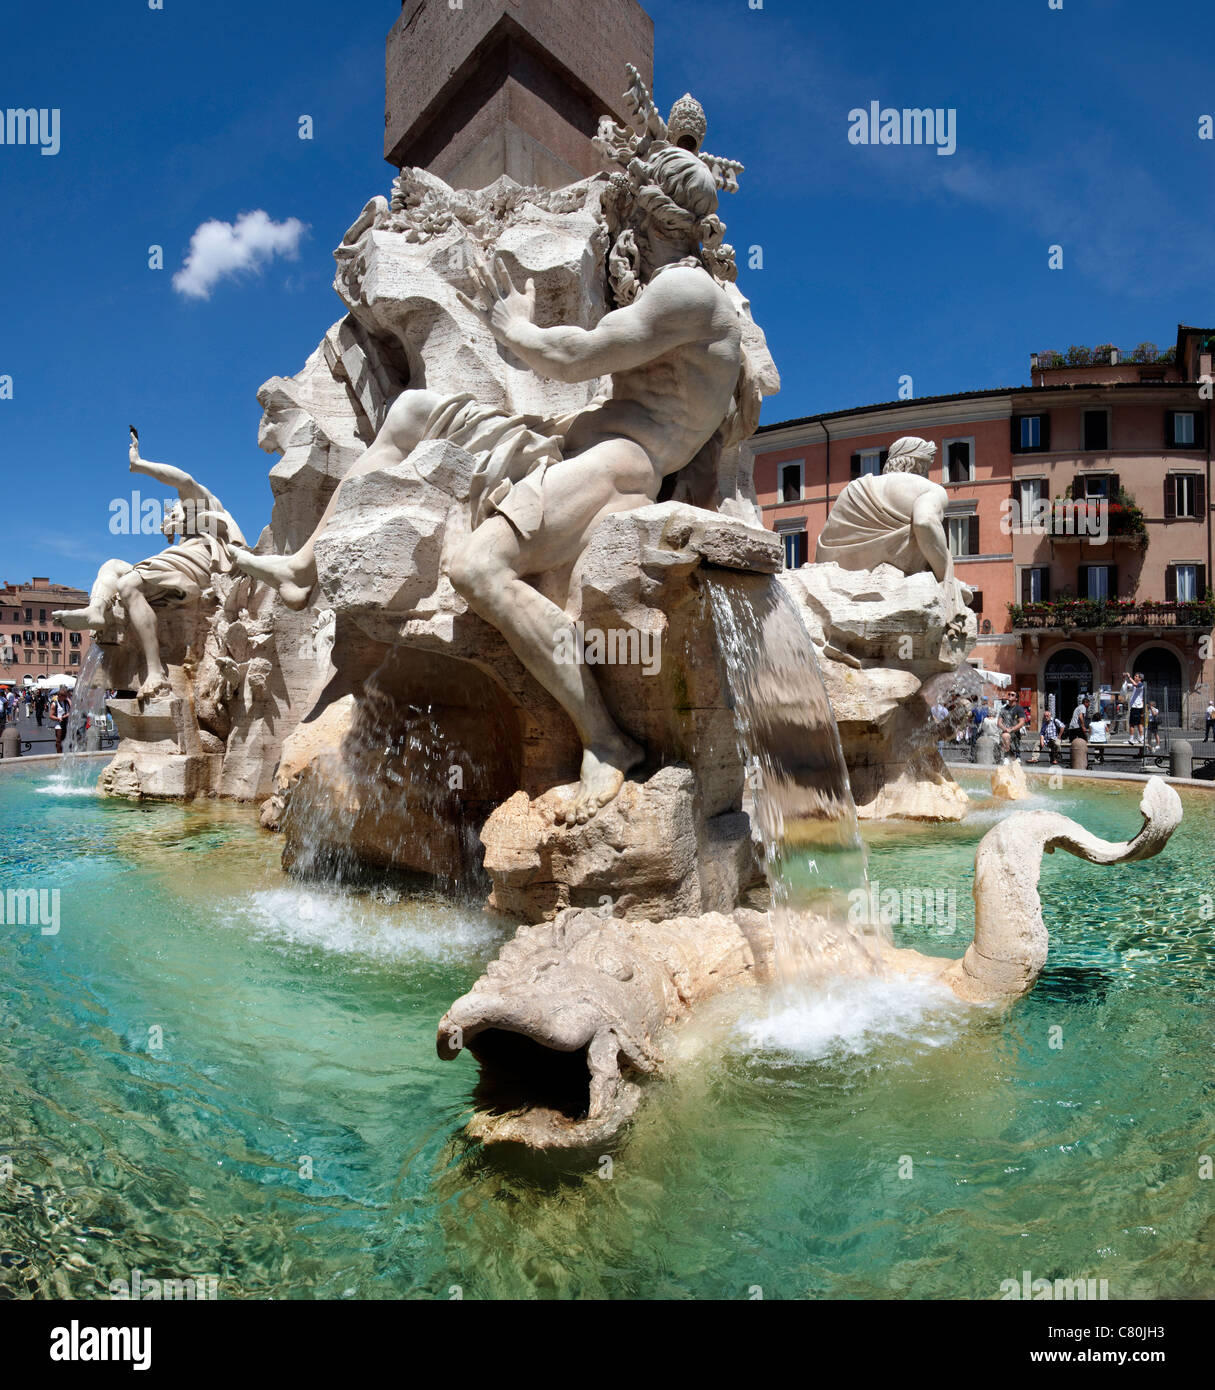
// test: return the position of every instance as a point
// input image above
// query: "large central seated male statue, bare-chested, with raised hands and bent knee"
(674, 355)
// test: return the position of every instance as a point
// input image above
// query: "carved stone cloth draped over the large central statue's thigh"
(512, 454)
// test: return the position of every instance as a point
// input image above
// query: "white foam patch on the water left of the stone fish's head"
(357, 925)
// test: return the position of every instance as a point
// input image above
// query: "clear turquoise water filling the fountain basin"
(297, 1032)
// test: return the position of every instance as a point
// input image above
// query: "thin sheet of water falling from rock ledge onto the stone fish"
(800, 797)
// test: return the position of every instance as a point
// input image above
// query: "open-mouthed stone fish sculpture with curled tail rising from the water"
(573, 1006)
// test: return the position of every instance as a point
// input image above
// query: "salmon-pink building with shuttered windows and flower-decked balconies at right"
(1079, 509)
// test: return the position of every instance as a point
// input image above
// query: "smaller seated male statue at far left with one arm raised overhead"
(172, 579)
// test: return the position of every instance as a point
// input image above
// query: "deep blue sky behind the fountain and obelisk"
(1075, 127)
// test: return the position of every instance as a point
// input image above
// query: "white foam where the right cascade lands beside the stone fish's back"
(853, 1017)
